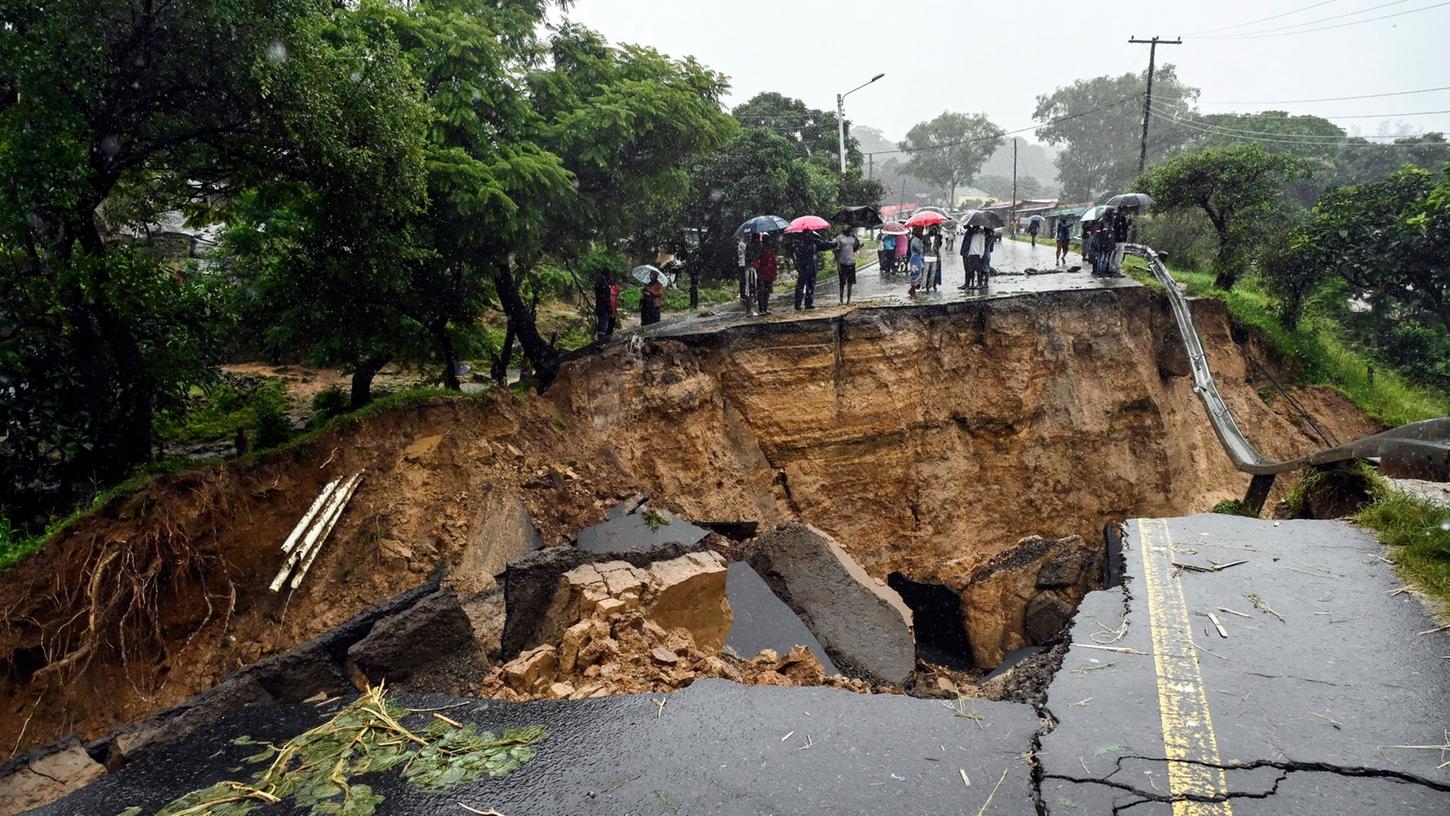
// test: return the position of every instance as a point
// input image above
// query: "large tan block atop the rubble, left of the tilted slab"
(689, 594)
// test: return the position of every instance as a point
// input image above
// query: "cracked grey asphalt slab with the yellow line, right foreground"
(1300, 711)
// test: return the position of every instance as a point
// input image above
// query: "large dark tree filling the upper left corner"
(134, 108)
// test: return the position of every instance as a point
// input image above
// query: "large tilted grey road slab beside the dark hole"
(863, 624)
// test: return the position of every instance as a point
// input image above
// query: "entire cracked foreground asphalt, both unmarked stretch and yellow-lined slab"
(1313, 705)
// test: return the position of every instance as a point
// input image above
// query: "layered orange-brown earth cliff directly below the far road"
(917, 437)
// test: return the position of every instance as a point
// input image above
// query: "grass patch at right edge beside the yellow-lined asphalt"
(1417, 533)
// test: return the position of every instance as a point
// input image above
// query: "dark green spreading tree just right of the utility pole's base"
(1240, 189)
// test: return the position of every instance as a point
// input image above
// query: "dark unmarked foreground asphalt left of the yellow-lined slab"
(716, 747)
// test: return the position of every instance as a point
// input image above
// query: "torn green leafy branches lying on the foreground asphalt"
(314, 769)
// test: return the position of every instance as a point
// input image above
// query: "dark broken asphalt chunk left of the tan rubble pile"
(414, 640)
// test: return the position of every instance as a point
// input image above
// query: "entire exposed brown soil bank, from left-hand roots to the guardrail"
(916, 437)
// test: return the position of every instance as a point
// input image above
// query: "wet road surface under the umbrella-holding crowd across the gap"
(1011, 262)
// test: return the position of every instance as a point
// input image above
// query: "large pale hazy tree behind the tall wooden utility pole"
(1100, 124)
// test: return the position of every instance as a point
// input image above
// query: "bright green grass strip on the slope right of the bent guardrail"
(1316, 351)
